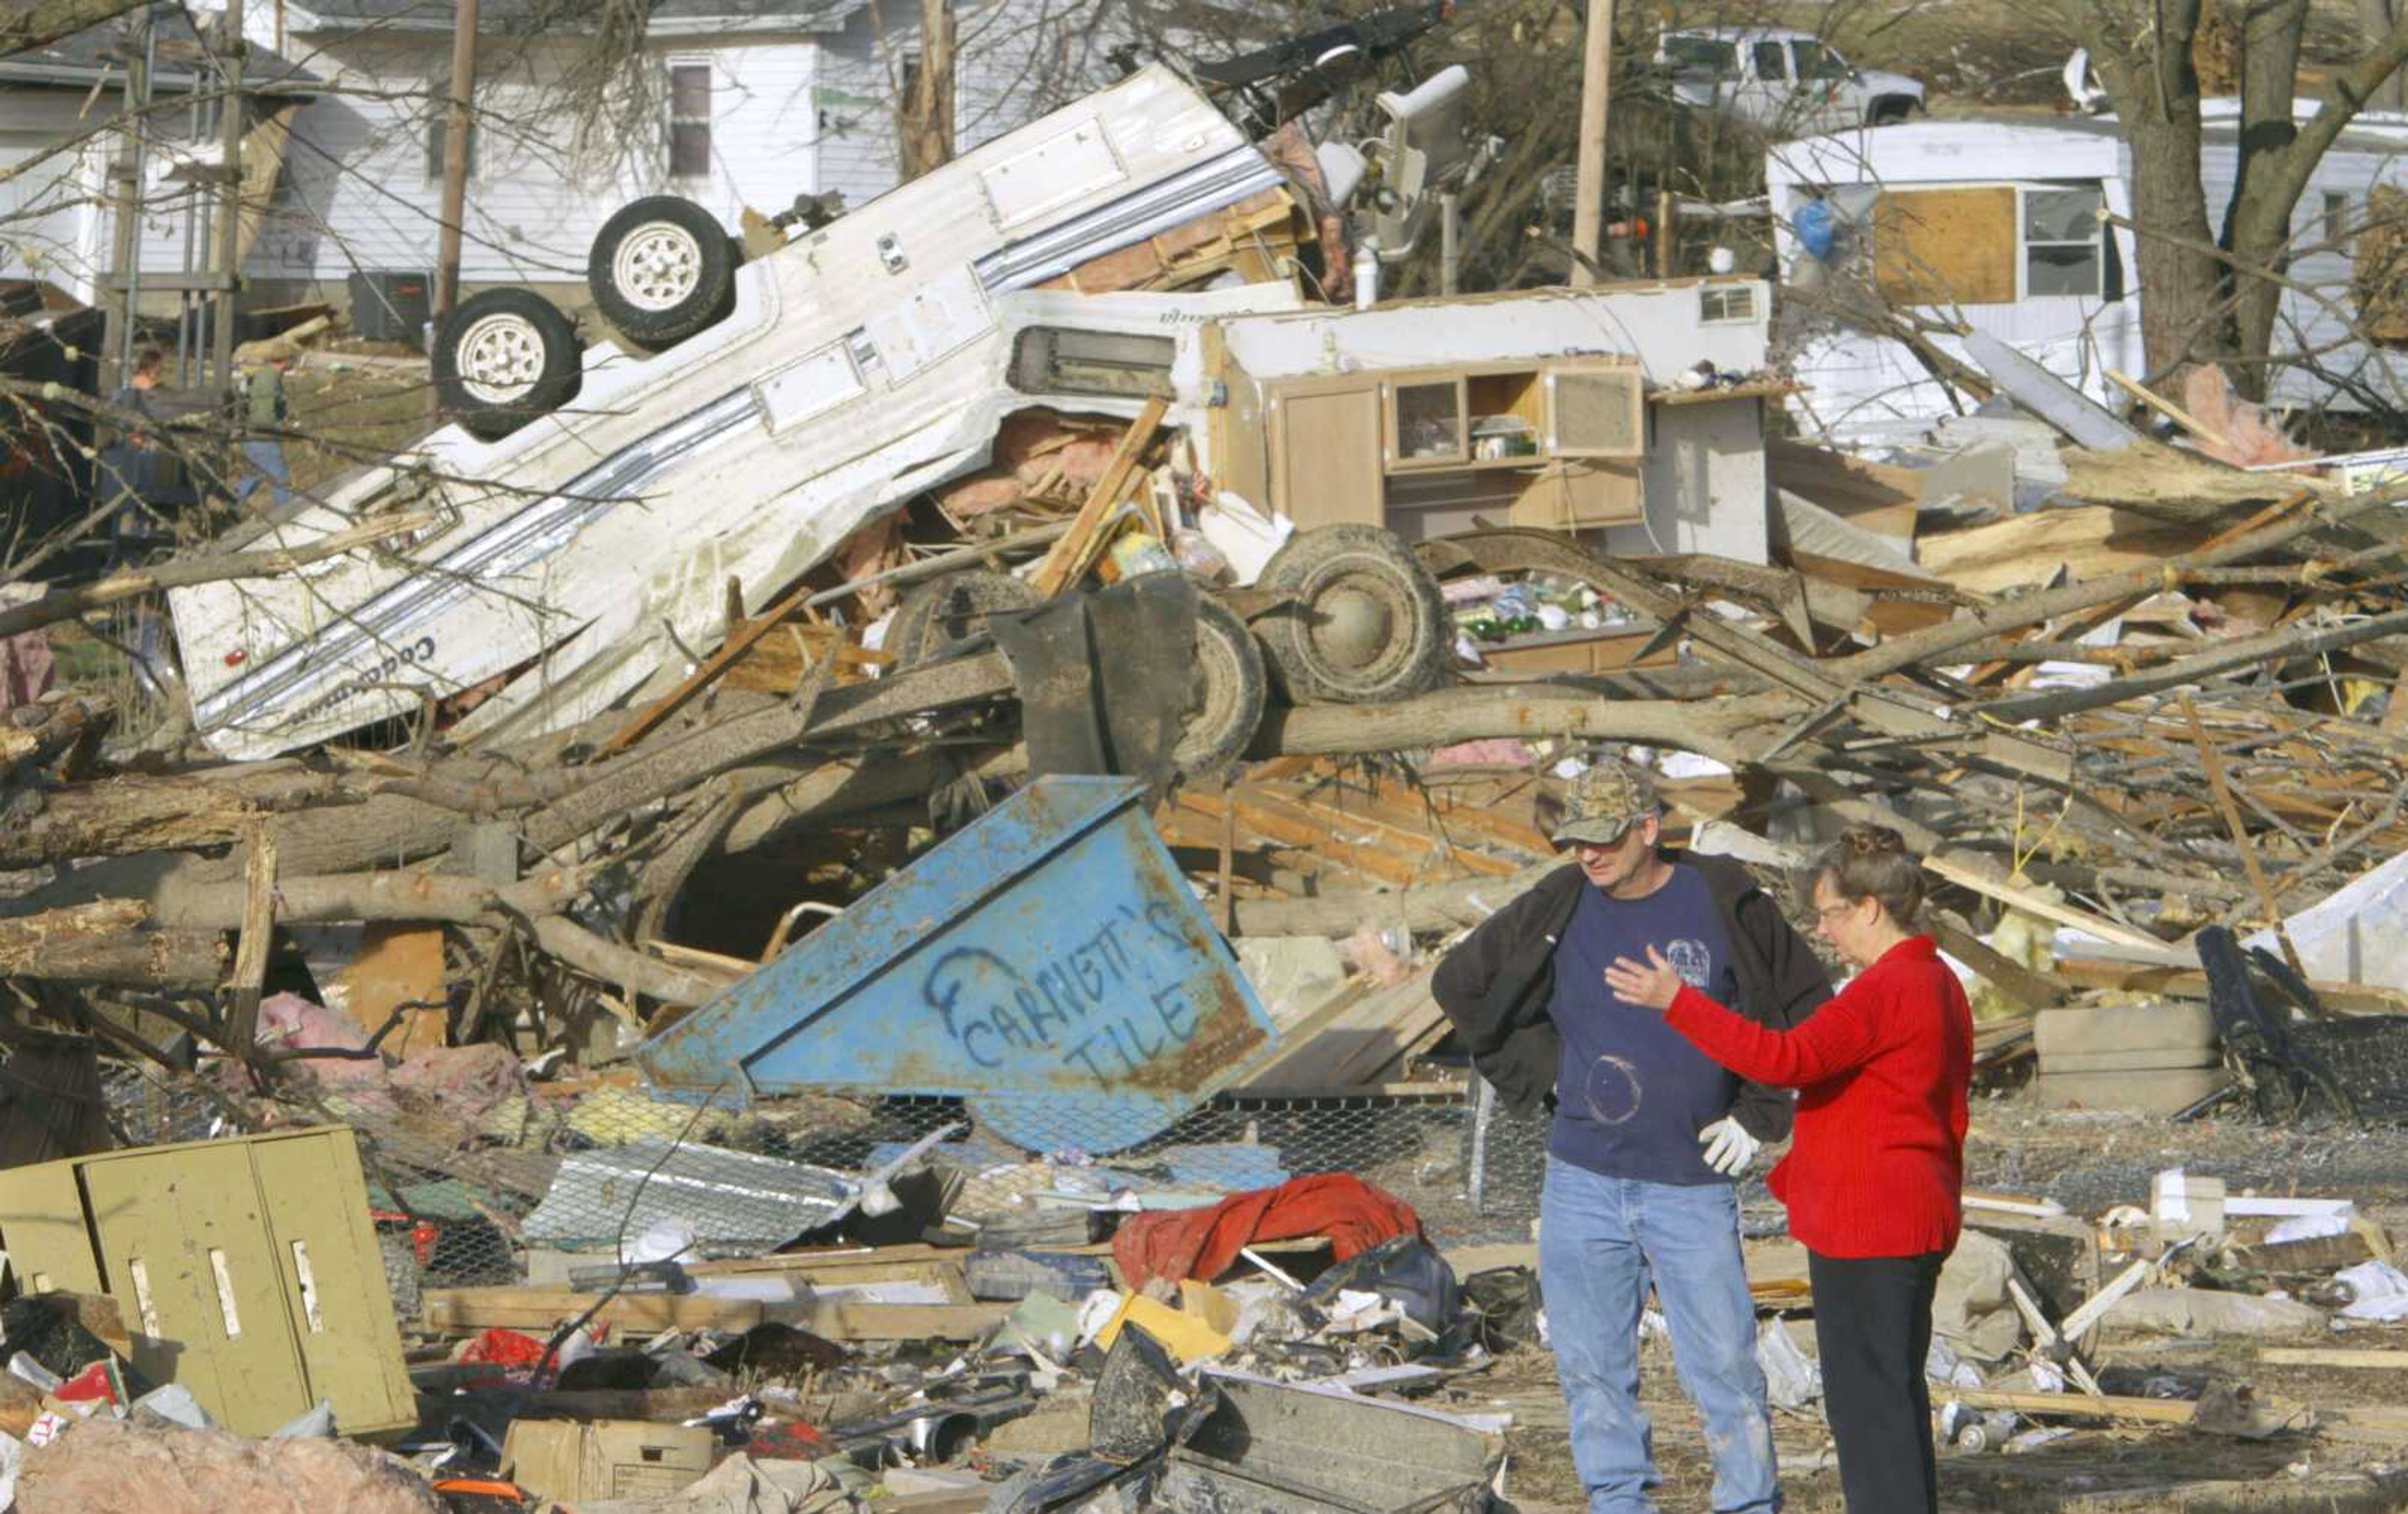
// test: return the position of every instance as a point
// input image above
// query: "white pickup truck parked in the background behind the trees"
(1783, 83)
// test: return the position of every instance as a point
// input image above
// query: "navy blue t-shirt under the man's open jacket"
(1631, 1092)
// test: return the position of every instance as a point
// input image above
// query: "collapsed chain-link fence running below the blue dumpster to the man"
(521, 1188)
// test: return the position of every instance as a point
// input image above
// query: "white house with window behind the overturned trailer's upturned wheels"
(738, 102)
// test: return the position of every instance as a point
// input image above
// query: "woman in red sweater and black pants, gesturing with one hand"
(1877, 1164)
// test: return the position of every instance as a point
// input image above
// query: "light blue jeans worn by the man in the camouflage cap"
(1600, 1241)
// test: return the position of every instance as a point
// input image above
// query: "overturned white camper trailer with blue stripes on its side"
(586, 552)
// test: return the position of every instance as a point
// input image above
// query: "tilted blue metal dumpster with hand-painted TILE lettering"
(1049, 966)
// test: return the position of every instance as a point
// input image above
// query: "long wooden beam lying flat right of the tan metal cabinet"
(464, 1311)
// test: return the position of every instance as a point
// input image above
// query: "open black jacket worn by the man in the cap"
(1497, 986)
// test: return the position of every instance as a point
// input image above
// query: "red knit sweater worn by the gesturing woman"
(1877, 1166)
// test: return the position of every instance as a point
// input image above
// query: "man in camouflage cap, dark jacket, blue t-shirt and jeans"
(1648, 1132)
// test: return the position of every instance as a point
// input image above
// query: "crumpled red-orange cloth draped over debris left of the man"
(1200, 1243)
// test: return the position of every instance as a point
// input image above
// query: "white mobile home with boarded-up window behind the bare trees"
(1997, 225)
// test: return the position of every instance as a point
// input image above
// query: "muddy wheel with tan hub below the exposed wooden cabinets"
(1367, 617)
